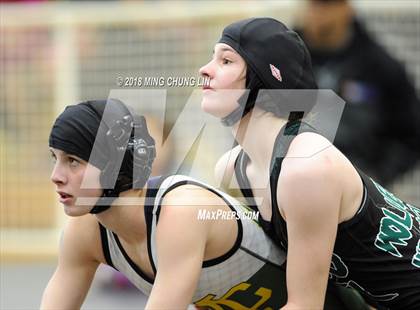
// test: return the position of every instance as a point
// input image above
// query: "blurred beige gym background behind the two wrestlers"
(56, 53)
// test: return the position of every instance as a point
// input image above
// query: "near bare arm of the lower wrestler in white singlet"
(181, 241)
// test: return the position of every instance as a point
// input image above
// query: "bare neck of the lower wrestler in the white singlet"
(126, 216)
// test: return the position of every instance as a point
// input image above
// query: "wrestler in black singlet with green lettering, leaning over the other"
(333, 220)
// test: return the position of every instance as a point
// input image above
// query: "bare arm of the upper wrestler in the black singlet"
(310, 201)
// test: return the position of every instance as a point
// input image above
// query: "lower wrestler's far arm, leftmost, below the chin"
(77, 265)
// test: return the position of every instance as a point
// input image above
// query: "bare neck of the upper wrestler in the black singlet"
(256, 133)
